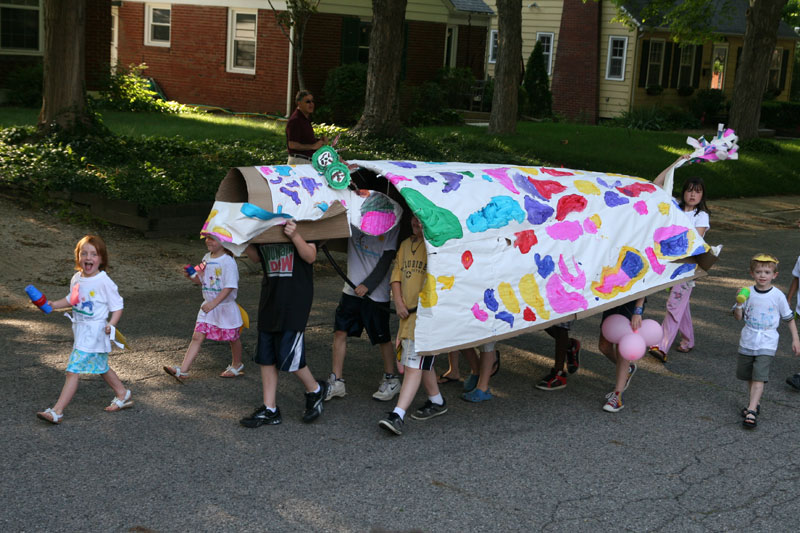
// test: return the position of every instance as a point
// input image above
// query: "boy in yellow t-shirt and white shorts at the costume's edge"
(408, 277)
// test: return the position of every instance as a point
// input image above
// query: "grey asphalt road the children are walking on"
(676, 458)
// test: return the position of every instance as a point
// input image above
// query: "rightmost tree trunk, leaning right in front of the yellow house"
(760, 36)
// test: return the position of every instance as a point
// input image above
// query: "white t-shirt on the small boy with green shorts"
(763, 312)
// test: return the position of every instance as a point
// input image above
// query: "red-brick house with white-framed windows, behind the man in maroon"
(232, 54)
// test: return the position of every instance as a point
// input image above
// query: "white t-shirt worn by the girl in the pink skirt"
(220, 273)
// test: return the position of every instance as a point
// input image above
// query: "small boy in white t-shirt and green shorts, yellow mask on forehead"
(762, 312)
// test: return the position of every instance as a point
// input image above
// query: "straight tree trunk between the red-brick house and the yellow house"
(507, 69)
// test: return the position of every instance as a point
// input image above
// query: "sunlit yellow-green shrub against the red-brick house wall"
(128, 90)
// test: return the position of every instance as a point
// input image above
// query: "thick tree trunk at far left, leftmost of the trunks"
(64, 97)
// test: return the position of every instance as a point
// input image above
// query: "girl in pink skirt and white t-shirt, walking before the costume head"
(219, 318)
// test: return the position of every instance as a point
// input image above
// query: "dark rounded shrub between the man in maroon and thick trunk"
(344, 91)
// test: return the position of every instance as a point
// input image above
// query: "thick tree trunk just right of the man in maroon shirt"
(381, 104)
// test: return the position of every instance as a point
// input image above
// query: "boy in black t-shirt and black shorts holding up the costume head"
(286, 293)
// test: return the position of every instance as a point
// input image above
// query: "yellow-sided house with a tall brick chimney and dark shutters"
(600, 68)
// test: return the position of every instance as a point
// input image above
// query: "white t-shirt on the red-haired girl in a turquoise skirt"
(97, 297)
